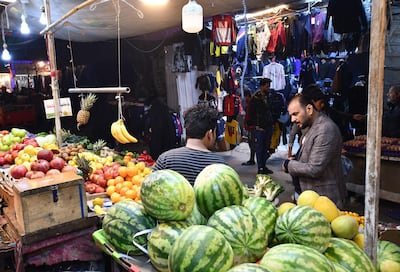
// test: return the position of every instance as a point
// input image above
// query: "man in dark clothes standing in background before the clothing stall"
(260, 114)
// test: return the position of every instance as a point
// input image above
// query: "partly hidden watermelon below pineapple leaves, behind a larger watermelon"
(265, 212)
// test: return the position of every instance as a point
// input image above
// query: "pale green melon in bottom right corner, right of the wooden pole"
(388, 256)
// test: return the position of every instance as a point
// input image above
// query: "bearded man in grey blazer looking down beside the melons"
(318, 165)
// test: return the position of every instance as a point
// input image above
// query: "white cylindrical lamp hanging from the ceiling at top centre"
(192, 17)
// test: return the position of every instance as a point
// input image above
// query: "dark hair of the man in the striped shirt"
(199, 119)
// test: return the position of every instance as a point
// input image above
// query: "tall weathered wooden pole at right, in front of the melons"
(374, 125)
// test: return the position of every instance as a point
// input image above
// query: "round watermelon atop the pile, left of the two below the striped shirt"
(167, 195)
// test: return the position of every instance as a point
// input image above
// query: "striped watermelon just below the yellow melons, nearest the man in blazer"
(303, 225)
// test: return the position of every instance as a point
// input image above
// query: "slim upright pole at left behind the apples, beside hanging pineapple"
(51, 53)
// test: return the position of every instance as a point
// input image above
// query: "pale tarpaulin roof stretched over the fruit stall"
(97, 22)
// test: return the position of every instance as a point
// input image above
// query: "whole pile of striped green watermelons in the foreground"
(214, 226)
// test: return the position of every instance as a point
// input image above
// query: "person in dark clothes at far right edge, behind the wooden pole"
(391, 116)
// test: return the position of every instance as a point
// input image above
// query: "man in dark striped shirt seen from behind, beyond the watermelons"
(200, 124)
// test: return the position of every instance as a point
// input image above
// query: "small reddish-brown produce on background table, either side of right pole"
(389, 146)
